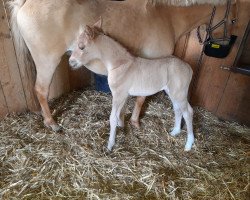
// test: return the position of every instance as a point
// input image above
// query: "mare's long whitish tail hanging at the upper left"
(21, 48)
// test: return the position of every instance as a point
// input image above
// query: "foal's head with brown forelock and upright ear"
(86, 49)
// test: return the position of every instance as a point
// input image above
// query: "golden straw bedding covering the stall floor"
(36, 163)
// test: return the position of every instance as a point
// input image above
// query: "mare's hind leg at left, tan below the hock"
(45, 70)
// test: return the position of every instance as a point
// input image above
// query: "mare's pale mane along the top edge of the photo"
(186, 2)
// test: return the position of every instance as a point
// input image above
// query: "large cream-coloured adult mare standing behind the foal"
(49, 28)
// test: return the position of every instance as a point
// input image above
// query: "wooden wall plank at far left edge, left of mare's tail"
(12, 86)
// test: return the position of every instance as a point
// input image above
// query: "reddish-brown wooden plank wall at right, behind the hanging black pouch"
(220, 91)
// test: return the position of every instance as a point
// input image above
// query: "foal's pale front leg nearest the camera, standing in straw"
(117, 105)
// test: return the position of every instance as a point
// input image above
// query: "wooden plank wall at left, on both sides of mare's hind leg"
(17, 78)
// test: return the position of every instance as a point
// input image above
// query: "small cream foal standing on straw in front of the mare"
(129, 75)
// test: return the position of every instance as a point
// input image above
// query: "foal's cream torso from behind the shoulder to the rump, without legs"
(148, 77)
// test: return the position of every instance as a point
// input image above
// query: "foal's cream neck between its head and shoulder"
(112, 53)
